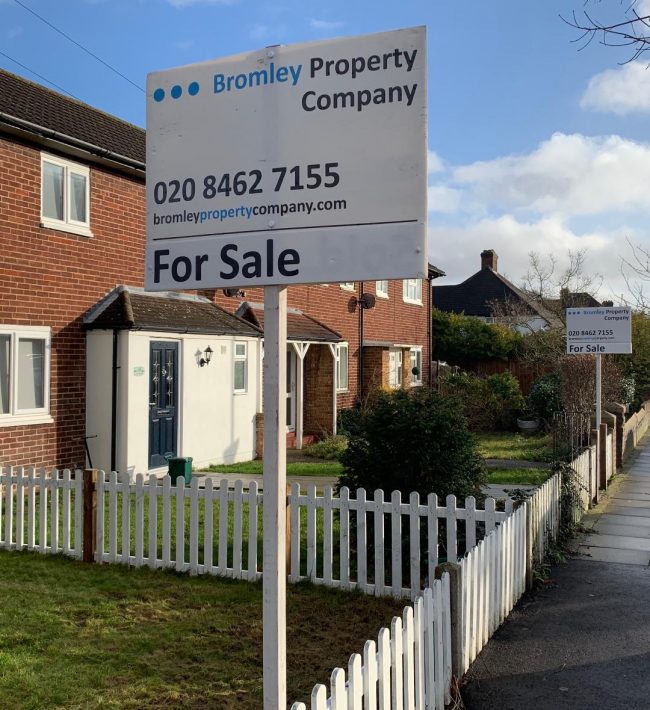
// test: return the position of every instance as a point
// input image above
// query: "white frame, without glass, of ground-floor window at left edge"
(37, 415)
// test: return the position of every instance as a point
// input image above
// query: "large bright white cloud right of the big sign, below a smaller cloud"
(568, 175)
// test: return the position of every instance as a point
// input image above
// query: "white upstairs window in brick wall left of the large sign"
(65, 195)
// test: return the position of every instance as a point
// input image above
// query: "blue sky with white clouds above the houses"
(535, 145)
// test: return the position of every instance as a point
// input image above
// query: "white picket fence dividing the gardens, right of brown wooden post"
(208, 530)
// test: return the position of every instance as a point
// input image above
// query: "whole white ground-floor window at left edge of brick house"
(24, 375)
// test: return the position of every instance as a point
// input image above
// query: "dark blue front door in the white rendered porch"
(163, 402)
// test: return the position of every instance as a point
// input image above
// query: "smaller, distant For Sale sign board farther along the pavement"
(599, 330)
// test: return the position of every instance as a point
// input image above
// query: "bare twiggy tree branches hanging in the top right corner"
(631, 29)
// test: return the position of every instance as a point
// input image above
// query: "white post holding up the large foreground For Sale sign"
(275, 490)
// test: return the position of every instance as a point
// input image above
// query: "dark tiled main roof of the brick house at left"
(45, 113)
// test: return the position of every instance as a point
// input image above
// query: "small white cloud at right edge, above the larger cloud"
(621, 91)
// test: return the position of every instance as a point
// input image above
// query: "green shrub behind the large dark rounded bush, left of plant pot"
(489, 403)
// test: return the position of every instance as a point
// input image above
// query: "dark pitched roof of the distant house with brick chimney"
(474, 296)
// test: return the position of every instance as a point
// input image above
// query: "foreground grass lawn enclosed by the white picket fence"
(75, 635)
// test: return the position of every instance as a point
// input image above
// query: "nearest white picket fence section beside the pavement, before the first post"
(409, 668)
